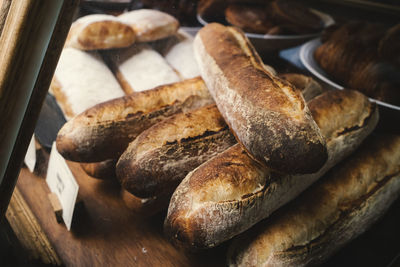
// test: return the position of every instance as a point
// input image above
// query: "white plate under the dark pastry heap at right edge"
(307, 58)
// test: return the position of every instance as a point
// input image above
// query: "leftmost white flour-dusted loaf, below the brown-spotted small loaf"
(82, 80)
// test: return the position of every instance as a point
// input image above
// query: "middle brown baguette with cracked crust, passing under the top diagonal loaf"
(161, 156)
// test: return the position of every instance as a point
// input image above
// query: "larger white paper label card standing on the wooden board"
(62, 182)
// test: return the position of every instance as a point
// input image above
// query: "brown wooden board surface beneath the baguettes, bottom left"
(105, 232)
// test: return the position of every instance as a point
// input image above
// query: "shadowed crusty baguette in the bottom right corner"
(342, 205)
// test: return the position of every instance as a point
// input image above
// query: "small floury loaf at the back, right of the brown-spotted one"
(150, 25)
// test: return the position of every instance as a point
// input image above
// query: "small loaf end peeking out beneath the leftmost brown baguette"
(104, 170)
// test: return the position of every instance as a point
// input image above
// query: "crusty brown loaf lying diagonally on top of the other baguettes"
(267, 115)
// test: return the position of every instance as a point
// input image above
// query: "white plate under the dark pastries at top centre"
(268, 42)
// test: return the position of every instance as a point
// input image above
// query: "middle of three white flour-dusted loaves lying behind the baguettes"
(140, 68)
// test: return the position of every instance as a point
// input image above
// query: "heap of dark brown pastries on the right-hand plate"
(355, 55)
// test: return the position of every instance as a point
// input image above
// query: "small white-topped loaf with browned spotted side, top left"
(93, 32)
